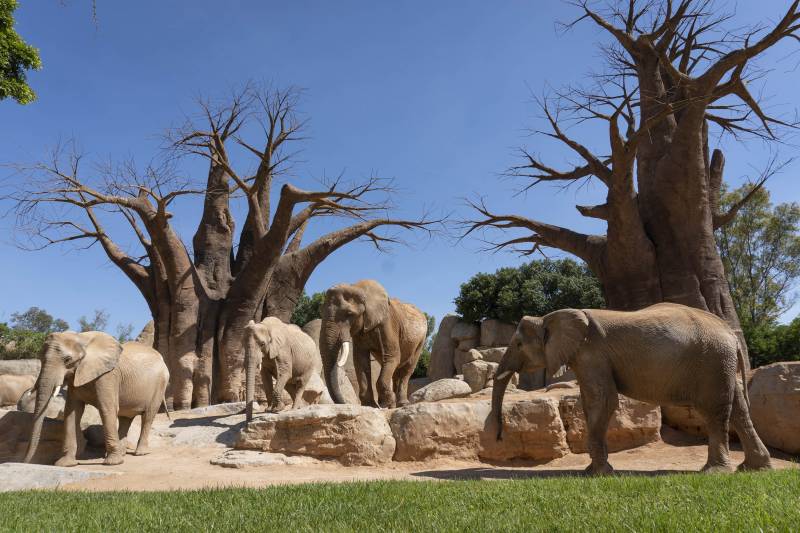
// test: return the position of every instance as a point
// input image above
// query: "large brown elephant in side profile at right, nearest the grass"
(665, 354)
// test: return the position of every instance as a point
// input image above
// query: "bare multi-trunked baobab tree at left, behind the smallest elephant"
(201, 294)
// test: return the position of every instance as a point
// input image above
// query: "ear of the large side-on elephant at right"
(564, 332)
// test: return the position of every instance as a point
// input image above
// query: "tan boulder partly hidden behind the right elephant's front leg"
(633, 424)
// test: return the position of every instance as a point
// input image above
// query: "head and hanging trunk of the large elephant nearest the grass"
(540, 342)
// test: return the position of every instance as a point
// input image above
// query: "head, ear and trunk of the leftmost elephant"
(81, 357)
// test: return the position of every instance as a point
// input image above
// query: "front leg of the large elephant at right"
(599, 402)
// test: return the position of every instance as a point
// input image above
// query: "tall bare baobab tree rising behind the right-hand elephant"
(673, 74)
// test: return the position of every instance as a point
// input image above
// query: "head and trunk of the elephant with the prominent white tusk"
(348, 310)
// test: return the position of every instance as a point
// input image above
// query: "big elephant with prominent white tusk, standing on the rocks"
(362, 319)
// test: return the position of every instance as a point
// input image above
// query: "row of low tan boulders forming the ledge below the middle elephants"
(538, 426)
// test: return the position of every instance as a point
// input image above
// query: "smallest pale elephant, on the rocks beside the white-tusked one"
(284, 352)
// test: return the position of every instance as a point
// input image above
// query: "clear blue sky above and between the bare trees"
(434, 94)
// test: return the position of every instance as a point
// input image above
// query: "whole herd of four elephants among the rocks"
(666, 354)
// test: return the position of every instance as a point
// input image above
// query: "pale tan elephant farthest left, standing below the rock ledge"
(120, 380)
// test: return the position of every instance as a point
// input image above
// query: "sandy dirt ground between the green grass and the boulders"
(189, 468)
